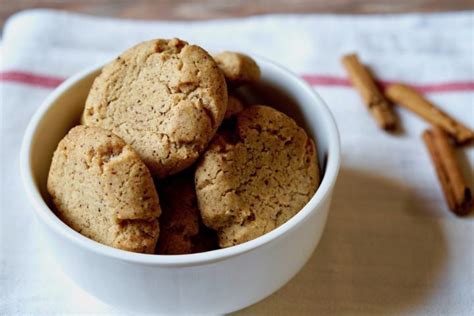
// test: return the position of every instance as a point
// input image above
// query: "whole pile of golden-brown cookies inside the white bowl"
(168, 160)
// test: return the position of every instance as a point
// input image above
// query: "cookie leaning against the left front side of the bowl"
(101, 188)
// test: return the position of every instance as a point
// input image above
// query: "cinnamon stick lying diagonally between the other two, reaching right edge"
(412, 100)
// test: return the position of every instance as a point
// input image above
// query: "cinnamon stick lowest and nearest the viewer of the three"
(456, 192)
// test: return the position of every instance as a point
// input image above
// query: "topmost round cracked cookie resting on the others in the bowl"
(165, 98)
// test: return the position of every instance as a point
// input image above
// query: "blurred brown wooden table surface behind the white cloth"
(206, 9)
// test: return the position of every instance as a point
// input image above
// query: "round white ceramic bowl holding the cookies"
(216, 282)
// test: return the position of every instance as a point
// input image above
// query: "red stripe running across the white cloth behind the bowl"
(46, 81)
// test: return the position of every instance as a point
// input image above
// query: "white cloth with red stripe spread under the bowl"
(390, 245)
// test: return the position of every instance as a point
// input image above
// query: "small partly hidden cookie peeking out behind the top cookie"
(237, 68)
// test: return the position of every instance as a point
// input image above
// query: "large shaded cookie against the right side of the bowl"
(256, 175)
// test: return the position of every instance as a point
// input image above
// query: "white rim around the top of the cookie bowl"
(51, 220)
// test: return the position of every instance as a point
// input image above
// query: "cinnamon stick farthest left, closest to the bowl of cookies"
(370, 93)
